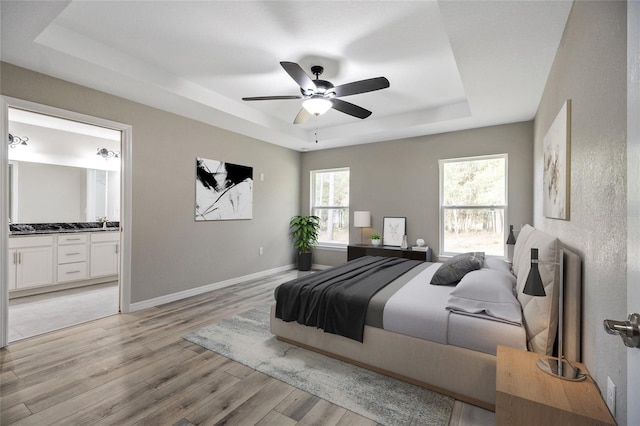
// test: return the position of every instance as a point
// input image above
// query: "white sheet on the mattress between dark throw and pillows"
(418, 309)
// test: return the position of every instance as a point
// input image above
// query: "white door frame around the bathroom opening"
(125, 199)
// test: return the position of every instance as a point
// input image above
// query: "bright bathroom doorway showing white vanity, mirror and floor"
(63, 204)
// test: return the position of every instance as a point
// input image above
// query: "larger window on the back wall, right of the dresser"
(473, 204)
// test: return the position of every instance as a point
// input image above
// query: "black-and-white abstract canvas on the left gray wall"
(224, 191)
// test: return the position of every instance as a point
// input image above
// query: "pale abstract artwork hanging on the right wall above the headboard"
(557, 163)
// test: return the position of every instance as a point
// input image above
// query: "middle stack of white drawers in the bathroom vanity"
(72, 257)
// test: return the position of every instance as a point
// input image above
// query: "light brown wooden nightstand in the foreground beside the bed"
(525, 395)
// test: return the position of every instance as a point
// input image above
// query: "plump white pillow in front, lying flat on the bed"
(487, 291)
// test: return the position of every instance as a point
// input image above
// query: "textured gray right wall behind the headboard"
(590, 69)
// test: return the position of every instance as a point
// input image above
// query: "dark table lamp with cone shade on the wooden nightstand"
(557, 367)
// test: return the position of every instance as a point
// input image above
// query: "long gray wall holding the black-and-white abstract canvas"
(170, 251)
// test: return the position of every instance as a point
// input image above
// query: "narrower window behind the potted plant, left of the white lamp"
(330, 201)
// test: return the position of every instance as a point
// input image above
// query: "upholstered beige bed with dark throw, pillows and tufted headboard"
(400, 337)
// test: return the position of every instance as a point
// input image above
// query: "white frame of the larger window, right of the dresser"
(442, 208)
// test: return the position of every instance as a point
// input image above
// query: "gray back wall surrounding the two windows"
(400, 178)
